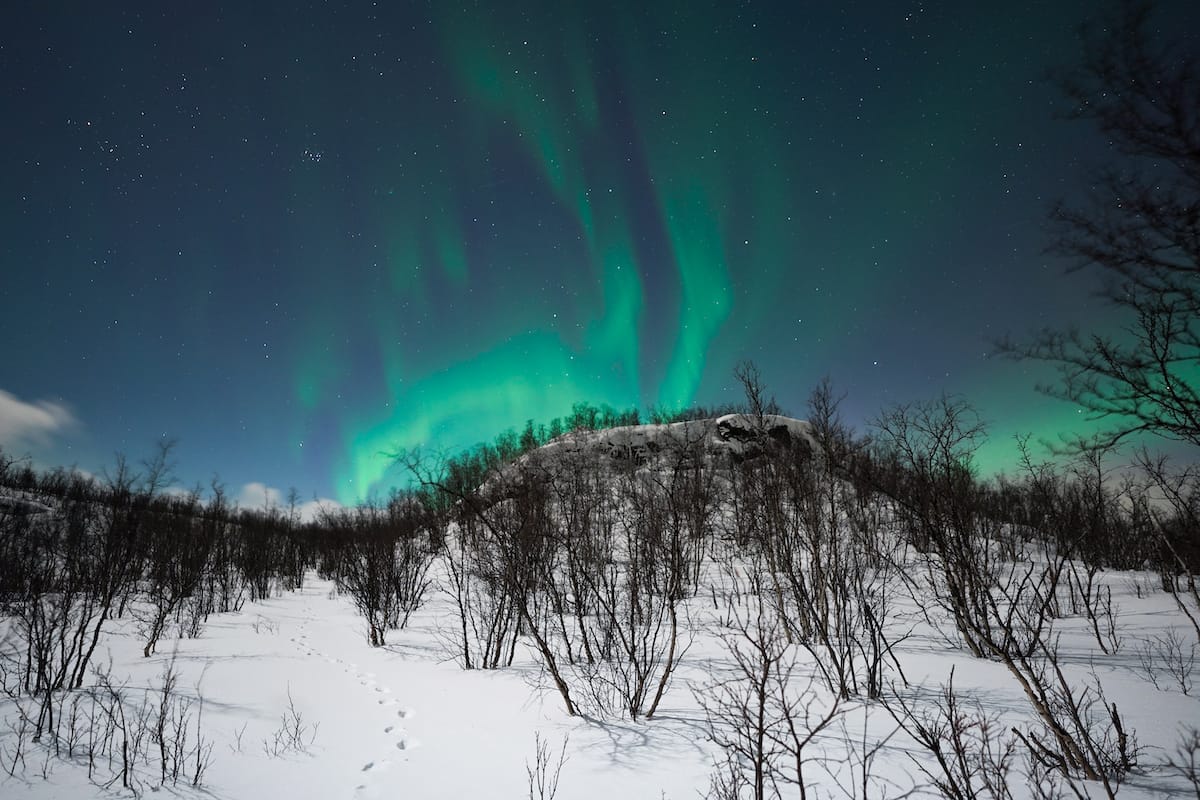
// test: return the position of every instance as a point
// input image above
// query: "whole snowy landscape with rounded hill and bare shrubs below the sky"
(587, 639)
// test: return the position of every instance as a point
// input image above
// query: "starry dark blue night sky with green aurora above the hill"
(298, 237)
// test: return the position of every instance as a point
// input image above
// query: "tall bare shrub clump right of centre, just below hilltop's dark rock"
(811, 530)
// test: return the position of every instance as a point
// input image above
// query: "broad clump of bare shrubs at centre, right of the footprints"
(590, 573)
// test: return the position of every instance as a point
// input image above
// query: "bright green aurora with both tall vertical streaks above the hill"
(647, 296)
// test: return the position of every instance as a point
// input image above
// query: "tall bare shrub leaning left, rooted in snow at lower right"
(1003, 610)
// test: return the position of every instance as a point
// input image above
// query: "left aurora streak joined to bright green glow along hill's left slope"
(587, 350)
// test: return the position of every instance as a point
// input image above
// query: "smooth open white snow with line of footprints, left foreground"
(401, 721)
